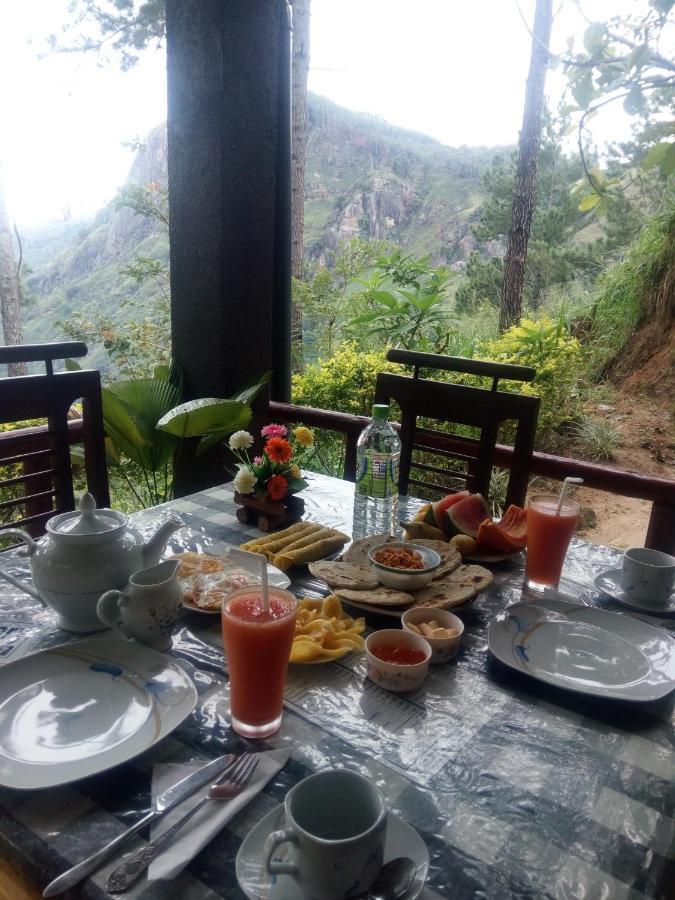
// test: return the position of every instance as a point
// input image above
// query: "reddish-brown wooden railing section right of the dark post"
(660, 491)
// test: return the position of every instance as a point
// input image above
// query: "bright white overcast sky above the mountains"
(454, 69)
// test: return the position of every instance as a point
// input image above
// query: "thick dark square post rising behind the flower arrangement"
(223, 68)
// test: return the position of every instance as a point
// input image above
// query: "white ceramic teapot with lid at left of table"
(85, 553)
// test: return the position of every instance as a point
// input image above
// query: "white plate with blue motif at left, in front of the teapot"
(81, 708)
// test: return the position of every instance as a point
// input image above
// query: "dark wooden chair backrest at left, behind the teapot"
(35, 469)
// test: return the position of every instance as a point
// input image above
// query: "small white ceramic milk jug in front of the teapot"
(149, 606)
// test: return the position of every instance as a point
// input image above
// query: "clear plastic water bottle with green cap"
(378, 453)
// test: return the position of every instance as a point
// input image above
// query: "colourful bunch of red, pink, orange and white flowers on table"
(275, 474)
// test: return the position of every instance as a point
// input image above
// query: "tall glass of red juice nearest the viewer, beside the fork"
(258, 646)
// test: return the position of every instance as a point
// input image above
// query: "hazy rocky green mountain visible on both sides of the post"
(363, 177)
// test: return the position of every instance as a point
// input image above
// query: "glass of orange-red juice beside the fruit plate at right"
(549, 533)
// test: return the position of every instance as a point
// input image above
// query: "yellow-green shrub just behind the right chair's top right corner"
(549, 348)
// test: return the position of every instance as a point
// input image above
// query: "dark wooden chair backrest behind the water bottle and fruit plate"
(485, 410)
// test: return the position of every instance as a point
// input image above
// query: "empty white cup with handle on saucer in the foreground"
(336, 822)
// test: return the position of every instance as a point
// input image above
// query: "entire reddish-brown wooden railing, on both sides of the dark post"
(659, 491)
